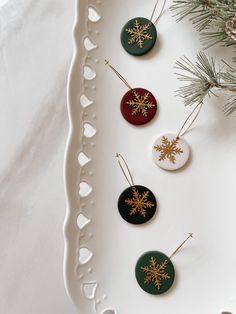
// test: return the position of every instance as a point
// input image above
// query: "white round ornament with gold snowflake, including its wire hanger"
(171, 151)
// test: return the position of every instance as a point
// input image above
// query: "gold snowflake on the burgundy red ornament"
(140, 104)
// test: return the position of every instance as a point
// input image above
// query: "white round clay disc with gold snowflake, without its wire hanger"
(170, 152)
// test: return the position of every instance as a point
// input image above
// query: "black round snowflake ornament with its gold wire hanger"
(136, 204)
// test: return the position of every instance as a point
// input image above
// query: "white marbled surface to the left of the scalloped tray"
(36, 49)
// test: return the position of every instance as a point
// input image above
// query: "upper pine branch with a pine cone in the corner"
(214, 19)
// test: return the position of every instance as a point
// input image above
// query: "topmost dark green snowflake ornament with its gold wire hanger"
(139, 35)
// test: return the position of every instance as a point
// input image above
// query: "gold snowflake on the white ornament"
(168, 149)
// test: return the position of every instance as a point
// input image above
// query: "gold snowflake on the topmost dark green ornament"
(138, 34)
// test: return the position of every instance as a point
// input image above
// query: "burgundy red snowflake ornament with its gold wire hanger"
(138, 106)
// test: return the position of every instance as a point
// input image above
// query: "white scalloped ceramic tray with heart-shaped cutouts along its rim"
(101, 249)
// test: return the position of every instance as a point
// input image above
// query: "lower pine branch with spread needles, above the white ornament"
(203, 79)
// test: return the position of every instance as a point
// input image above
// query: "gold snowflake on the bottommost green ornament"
(155, 273)
